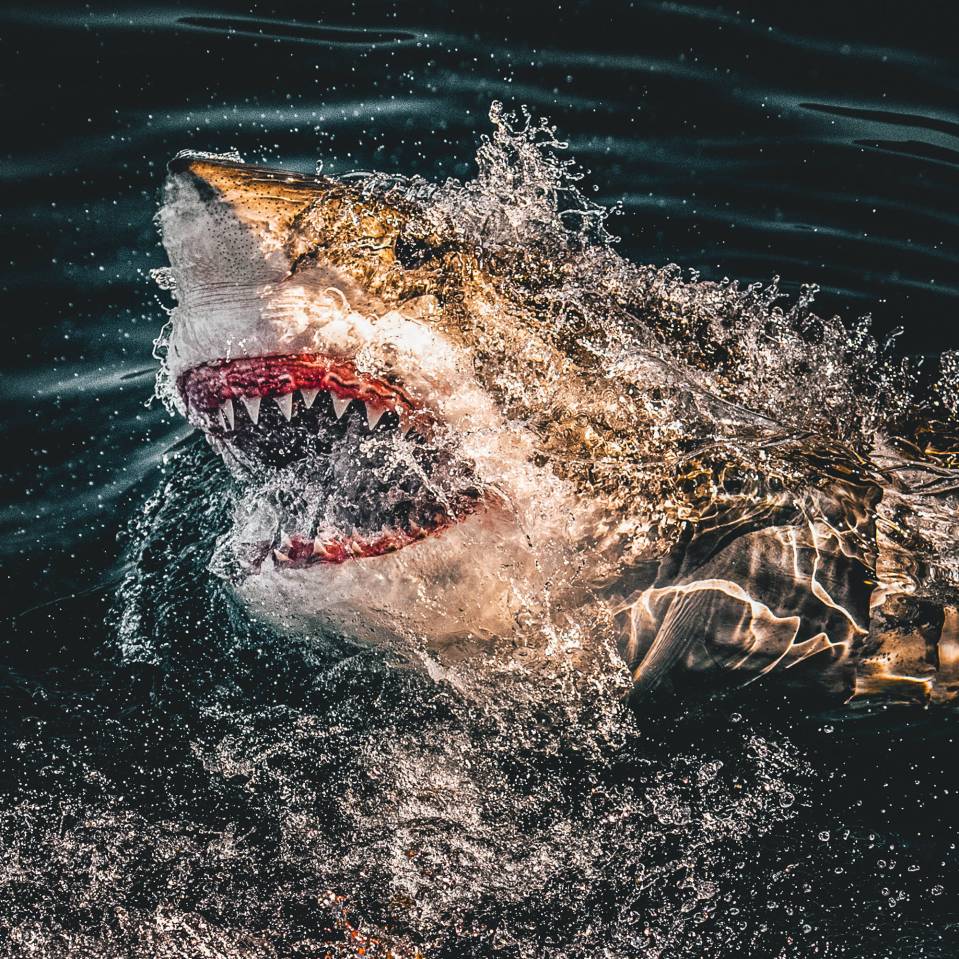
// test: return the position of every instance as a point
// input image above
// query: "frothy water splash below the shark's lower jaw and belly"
(318, 800)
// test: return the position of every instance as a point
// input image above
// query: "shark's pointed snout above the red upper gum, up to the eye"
(272, 264)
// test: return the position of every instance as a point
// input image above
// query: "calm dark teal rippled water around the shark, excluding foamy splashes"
(814, 141)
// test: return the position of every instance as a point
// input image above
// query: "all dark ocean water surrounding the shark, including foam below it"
(172, 778)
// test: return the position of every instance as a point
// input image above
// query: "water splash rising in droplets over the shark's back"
(746, 344)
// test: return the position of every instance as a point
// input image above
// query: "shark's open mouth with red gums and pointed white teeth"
(352, 465)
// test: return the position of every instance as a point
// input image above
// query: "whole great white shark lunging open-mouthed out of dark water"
(445, 437)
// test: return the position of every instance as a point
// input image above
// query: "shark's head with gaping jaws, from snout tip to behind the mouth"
(423, 449)
